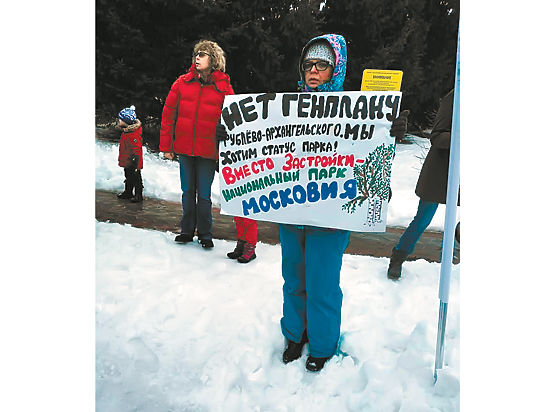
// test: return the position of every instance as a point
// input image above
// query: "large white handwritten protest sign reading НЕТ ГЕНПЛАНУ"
(321, 159)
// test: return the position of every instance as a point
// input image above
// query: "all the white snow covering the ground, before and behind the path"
(179, 328)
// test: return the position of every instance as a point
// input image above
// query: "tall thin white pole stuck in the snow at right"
(450, 218)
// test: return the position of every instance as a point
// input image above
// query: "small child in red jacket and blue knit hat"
(130, 154)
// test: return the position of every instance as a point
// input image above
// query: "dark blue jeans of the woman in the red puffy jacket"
(196, 176)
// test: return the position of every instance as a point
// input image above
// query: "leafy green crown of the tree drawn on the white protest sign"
(373, 177)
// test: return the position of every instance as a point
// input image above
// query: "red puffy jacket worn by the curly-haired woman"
(191, 112)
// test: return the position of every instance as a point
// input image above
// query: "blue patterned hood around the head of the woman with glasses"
(336, 84)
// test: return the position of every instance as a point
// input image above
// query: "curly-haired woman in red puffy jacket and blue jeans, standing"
(191, 112)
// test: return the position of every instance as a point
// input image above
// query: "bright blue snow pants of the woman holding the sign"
(311, 263)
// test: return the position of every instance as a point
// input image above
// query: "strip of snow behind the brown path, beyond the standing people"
(161, 179)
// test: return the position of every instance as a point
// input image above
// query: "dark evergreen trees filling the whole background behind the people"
(142, 47)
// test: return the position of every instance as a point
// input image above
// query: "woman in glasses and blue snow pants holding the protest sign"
(312, 256)
